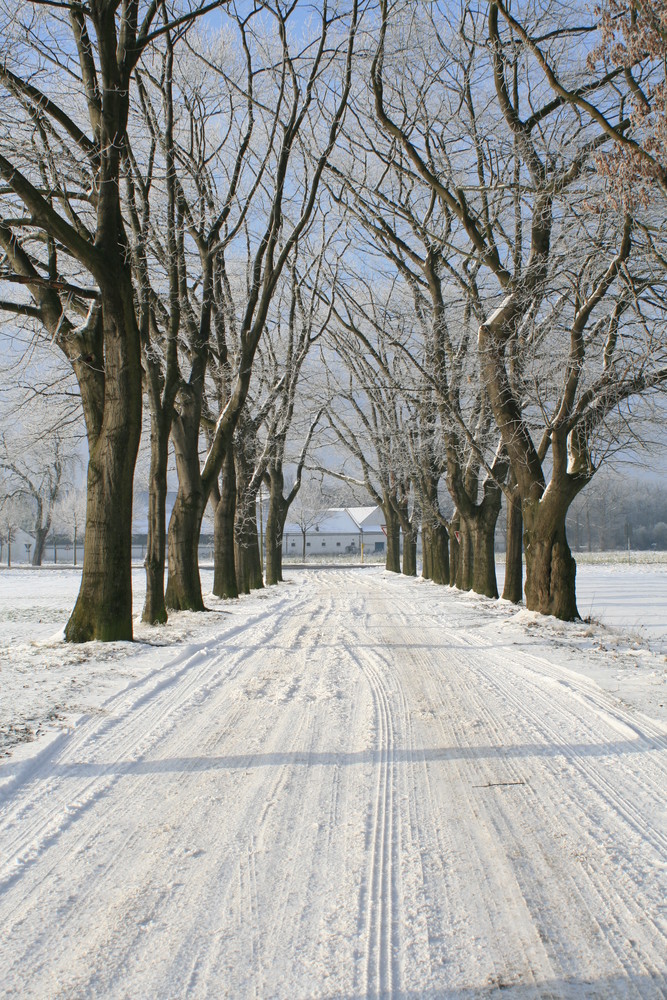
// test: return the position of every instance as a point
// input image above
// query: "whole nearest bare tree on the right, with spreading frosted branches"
(586, 344)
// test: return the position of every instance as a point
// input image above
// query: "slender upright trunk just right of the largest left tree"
(155, 612)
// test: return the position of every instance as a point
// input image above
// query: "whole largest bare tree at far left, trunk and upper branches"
(62, 194)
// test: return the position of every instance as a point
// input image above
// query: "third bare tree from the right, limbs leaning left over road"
(400, 218)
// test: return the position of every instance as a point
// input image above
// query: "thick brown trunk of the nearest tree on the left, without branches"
(103, 609)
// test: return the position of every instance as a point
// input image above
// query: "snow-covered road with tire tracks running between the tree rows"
(357, 786)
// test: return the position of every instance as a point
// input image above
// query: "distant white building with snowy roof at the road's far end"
(340, 531)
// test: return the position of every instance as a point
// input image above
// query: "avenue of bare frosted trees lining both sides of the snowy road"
(430, 235)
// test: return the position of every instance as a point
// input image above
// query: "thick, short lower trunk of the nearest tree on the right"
(550, 567)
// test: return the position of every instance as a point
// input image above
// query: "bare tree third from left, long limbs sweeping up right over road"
(305, 102)
